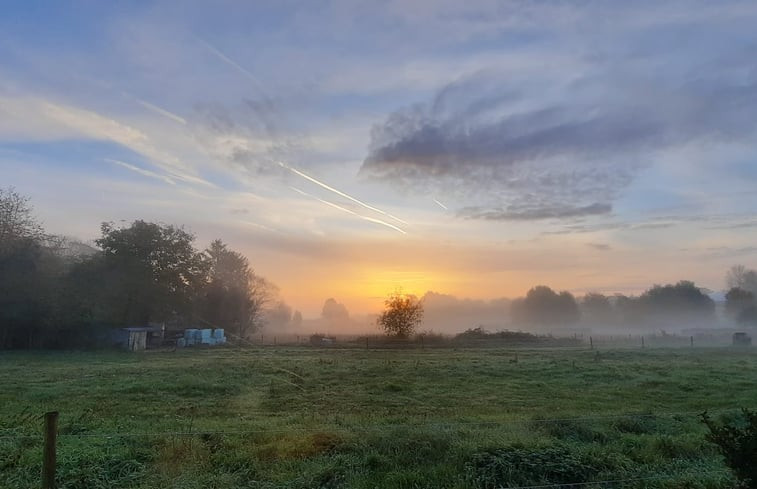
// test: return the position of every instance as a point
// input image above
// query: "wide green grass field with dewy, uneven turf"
(301, 417)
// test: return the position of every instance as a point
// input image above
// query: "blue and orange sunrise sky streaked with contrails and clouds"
(349, 148)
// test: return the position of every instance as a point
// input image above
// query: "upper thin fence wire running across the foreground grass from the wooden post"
(375, 428)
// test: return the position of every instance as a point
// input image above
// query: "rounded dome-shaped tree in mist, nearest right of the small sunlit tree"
(543, 306)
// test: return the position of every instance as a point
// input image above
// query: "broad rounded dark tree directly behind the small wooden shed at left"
(149, 272)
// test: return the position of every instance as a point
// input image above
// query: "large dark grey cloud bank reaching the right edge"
(553, 151)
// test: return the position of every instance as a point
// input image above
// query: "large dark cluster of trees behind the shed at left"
(56, 292)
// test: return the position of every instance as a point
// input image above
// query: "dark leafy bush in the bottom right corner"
(737, 442)
